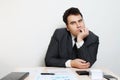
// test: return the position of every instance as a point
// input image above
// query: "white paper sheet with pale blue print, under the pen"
(59, 74)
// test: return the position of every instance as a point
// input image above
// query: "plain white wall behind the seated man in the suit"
(26, 27)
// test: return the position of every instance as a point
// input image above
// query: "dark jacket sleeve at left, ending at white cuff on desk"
(52, 56)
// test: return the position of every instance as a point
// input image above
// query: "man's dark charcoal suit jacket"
(60, 49)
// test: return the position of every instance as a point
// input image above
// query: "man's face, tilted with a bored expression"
(75, 24)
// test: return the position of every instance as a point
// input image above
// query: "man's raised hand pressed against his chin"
(84, 32)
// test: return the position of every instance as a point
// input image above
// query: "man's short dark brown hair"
(71, 11)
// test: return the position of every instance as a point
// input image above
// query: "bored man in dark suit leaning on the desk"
(64, 51)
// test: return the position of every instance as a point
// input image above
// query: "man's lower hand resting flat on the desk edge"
(79, 63)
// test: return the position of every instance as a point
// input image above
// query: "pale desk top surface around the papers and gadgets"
(34, 72)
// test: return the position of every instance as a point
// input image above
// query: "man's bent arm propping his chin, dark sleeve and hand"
(88, 51)
